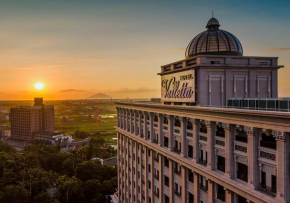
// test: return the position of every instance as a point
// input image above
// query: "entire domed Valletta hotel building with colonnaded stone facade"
(191, 147)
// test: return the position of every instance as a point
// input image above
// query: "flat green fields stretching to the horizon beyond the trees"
(77, 112)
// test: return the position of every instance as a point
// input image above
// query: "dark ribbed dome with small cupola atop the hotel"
(214, 41)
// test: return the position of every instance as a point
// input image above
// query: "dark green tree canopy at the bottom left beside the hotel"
(40, 170)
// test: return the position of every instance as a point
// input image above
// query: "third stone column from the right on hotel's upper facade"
(229, 149)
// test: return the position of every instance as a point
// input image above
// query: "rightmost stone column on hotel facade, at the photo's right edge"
(282, 160)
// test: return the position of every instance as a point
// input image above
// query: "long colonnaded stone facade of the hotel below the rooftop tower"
(196, 154)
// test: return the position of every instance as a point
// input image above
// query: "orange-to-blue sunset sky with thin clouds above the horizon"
(80, 48)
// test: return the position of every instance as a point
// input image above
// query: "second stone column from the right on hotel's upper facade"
(252, 151)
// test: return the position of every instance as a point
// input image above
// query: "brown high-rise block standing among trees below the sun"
(26, 120)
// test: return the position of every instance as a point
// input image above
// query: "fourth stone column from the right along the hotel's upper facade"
(211, 130)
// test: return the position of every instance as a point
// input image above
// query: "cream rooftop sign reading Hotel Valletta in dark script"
(178, 87)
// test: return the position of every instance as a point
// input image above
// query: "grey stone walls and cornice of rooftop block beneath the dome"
(219, 78)
